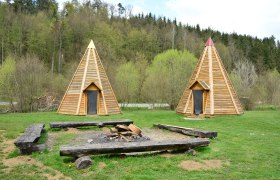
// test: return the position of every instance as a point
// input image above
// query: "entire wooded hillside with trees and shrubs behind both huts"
(148, 58)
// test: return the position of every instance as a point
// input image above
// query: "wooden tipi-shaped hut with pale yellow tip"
(89, 91)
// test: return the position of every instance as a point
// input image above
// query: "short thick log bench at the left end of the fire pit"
(26, 142)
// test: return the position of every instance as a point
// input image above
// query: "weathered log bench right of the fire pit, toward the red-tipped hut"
(188, 131)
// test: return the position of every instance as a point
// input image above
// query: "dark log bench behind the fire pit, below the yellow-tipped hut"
(89, 123)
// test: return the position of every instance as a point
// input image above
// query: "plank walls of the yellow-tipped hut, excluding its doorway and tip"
(107, 102)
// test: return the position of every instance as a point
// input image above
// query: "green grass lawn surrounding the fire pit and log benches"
(248, 146)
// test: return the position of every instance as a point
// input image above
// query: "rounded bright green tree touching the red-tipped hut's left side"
(168, 75)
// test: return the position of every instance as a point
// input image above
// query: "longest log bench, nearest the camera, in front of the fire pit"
(127, 147)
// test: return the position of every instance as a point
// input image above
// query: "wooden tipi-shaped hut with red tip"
(209, 91)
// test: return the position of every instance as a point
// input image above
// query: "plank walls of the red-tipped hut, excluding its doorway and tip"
(225, 97)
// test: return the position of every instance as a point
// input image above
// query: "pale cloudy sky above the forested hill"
(259, 18)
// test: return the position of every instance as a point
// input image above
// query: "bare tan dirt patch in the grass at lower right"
(203, 165)
